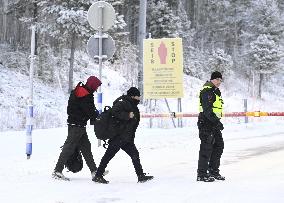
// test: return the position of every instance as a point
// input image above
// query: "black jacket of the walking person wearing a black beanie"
(122, 106)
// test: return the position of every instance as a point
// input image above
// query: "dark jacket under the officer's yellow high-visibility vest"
(207, 97)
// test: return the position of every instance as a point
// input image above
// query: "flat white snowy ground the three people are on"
(252, 163)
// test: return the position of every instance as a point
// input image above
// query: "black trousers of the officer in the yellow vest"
(211, 150)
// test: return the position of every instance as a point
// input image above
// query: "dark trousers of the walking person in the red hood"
(77, 137)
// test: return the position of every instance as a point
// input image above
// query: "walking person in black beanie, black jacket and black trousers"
(126, 111)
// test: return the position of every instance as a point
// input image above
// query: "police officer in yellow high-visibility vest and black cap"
(210, 127)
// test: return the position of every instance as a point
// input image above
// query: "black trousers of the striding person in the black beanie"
(114, 146)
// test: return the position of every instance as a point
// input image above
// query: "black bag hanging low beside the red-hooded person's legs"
(75, 162)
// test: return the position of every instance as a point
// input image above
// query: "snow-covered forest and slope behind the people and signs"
(242, 39)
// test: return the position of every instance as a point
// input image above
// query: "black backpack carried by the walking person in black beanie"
(106, 125)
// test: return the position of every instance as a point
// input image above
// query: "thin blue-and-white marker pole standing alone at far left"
(30, 110)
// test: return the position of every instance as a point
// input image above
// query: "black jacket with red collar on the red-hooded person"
(81, 106)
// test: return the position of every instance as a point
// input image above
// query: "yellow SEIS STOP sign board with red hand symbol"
(163, 68)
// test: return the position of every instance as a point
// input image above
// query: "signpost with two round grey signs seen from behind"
(101, 17)
